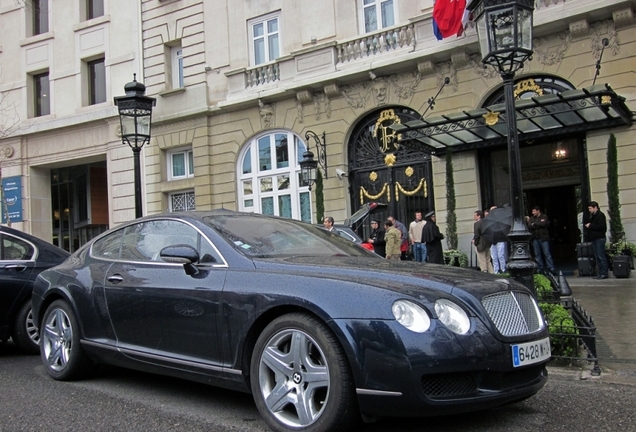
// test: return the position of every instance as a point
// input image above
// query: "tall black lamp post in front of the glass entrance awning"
(504, 29)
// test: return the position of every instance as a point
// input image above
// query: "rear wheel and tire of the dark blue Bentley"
(60, 348)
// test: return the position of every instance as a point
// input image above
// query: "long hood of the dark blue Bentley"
(406, 277)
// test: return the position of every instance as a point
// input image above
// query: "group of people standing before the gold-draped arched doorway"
(393, 240)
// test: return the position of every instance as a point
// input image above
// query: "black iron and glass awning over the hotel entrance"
(571, 111)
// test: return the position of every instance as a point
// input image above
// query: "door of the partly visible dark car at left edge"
(17, 262)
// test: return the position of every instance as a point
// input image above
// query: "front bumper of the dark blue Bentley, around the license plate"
(401, 373)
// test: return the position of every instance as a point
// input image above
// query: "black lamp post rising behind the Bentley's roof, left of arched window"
(135, 116)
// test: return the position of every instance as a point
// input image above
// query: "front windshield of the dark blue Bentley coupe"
(257, 236)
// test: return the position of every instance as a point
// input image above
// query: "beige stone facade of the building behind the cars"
(329, 75)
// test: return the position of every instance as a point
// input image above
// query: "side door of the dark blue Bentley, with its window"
(154, 306)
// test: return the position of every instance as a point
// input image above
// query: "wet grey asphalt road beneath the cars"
(120, 400)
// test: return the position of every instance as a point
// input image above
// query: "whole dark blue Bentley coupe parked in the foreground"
(319, 330)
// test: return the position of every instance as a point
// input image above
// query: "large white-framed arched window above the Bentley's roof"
(269, 179)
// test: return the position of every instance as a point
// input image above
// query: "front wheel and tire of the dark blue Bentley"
(300, 377)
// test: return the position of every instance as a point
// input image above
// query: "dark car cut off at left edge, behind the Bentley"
(22, 258)
